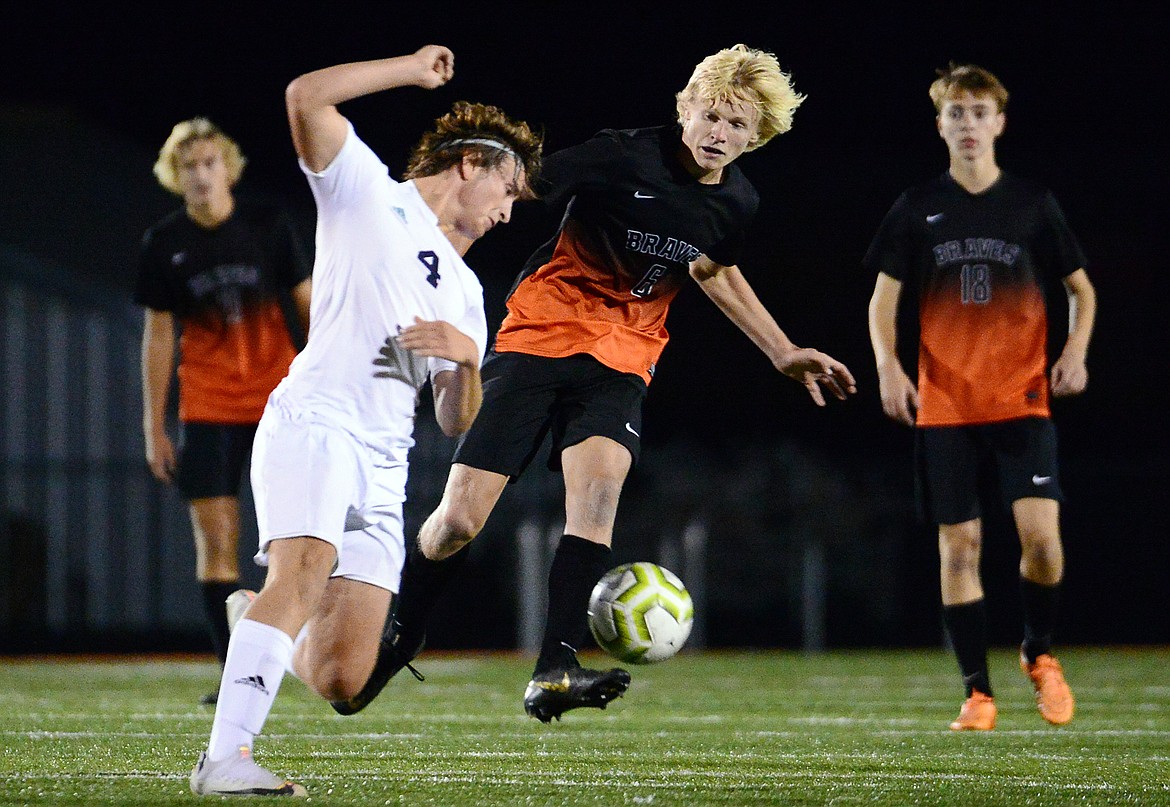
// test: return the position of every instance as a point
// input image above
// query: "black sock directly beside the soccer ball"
(576, 569)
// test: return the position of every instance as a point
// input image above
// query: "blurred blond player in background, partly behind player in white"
(212, 277)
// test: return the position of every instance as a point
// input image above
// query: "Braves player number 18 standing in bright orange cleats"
(982, 245)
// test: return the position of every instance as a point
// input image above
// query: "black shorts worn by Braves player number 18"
(954, 461)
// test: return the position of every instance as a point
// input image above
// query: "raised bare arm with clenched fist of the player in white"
(319, 129)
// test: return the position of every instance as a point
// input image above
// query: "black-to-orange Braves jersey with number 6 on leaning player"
(635, 222)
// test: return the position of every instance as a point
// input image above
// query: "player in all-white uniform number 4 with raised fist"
(395, 307)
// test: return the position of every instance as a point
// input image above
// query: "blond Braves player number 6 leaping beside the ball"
(648, 211)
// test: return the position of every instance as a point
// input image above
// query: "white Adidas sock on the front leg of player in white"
(257, 658)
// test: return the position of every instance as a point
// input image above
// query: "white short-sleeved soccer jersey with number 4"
(381, 263)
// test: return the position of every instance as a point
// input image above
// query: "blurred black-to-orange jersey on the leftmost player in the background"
(223, 286)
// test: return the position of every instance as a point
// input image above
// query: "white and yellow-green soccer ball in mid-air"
(641, 613)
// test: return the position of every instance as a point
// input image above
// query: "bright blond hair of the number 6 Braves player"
(745, 75)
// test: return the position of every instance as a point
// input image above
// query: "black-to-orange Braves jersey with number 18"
(981, 264)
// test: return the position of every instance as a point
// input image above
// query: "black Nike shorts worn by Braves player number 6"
(528, 397)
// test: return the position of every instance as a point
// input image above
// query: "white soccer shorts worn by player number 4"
(311, 478)
